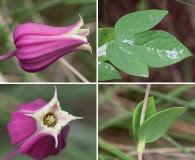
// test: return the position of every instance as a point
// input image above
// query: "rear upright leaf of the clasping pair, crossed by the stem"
(150, 111)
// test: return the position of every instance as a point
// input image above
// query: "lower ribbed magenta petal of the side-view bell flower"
(36, 58)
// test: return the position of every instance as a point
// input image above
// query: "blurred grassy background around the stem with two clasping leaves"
(116, 104)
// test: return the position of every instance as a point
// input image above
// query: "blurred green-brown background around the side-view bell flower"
(54, 13)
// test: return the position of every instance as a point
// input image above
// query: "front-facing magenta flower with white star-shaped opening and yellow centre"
(40, 129)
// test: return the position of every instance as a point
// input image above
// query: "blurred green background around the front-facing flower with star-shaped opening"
(77, 99)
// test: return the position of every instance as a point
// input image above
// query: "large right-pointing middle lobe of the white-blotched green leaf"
(155, 48)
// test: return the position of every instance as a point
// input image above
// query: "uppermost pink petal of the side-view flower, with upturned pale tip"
(40, 29)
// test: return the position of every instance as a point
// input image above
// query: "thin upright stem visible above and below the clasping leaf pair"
(141, 144)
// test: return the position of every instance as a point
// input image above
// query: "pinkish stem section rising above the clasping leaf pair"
(145, 103)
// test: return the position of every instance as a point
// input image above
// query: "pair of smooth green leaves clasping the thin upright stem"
(155, 124)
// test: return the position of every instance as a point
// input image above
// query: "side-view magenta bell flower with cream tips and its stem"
(38, 45)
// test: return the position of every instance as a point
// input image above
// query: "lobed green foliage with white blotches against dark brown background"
(130, 47)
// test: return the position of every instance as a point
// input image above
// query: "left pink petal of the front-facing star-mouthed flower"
(21, 127)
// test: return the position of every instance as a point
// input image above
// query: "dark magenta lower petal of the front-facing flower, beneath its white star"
(43, 145)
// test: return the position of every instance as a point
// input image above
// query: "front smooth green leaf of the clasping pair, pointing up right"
(155, 126)
